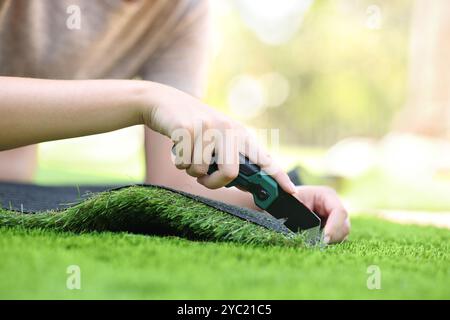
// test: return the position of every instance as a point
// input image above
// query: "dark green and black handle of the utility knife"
(251, 178)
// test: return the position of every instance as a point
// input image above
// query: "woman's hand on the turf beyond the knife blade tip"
(325, 202)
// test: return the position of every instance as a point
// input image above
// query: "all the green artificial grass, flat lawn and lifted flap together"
(248, 262)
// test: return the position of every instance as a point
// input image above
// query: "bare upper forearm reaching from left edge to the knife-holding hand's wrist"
(34, 110)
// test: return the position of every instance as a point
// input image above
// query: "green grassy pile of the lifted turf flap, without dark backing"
(150, 210)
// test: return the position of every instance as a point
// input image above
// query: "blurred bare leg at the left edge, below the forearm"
(18, 165)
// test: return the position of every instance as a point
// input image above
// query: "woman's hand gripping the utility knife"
(198, 131)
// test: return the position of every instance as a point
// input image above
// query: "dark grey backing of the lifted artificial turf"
(27, 198)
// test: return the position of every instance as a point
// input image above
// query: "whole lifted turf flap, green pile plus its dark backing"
(144, 209)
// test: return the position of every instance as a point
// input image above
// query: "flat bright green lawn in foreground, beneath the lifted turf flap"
(414, 263)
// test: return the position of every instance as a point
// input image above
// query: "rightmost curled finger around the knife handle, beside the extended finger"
(228, 166)
